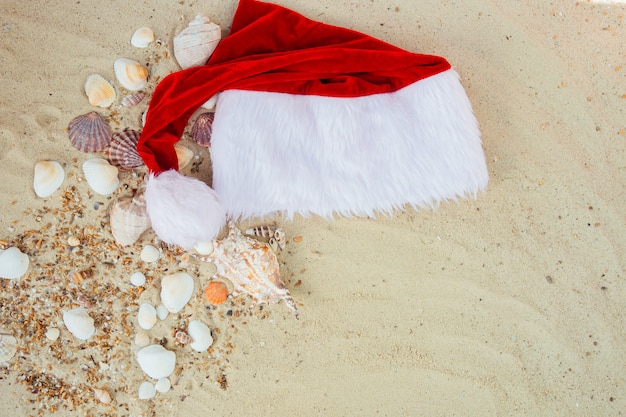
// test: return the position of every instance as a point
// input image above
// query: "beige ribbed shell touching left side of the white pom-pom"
(129, 219)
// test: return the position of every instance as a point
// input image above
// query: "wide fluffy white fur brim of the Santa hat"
(318, 155)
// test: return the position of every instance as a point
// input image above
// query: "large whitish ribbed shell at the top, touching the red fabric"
(194, 45)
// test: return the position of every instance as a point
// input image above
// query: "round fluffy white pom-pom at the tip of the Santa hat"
(183, 210)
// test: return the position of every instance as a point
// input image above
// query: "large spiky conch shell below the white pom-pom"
(251, 266)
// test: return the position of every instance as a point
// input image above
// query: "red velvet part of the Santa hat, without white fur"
(271, 48)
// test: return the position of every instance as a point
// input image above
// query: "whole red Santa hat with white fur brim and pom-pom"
(310, 119)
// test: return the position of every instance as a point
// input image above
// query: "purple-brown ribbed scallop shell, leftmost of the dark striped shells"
(89, 132)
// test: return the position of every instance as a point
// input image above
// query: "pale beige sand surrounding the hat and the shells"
(508, 305)
